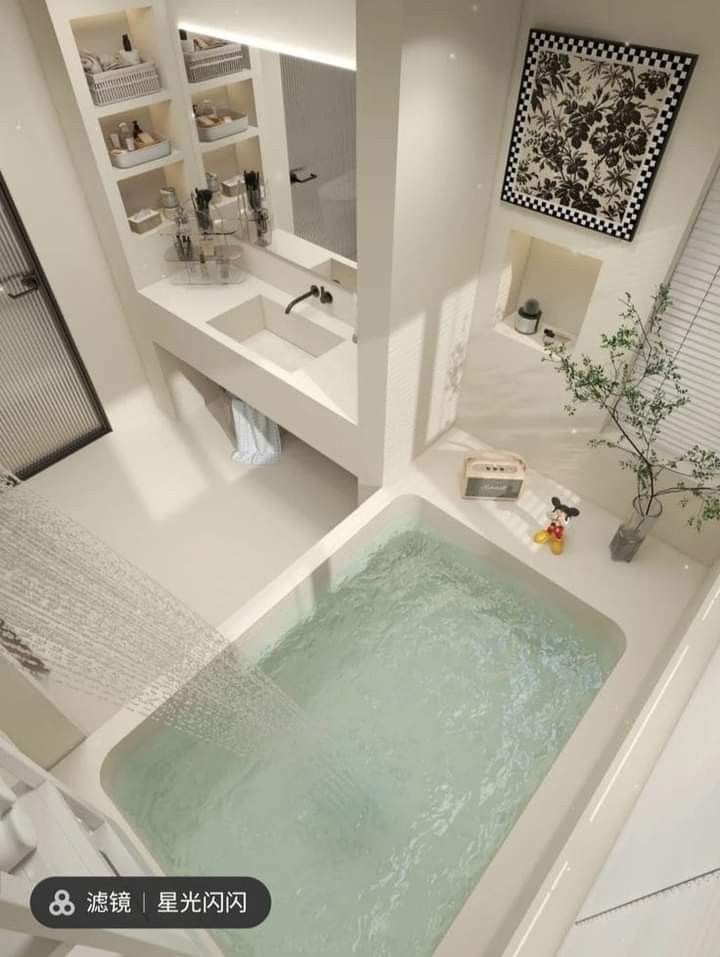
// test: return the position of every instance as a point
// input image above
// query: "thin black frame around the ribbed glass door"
(46, 290)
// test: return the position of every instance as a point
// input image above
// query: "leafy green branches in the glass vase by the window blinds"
(639, 386)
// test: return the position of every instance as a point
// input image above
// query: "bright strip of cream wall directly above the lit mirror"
(321, 29)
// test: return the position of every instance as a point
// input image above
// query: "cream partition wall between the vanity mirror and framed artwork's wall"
(454, 63)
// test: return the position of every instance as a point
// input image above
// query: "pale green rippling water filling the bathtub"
(447, 688)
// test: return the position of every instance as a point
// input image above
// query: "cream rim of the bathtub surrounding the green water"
(635, 612)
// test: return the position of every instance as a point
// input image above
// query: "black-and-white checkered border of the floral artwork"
(681, 66)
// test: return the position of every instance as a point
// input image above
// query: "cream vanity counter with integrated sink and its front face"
(299, 369)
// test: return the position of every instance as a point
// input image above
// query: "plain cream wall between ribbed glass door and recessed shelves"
(37, 167)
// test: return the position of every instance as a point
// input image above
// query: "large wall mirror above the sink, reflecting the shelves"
(289, 121)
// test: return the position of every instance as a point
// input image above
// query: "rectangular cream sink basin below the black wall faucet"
(262, 327)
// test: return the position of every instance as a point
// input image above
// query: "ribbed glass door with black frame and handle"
(48, 406)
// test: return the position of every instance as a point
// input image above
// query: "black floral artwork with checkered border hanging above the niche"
(593, 118)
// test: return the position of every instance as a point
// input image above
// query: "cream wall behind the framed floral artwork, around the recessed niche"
(508, 397)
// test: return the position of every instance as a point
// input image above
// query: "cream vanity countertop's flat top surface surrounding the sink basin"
(330, 379)
